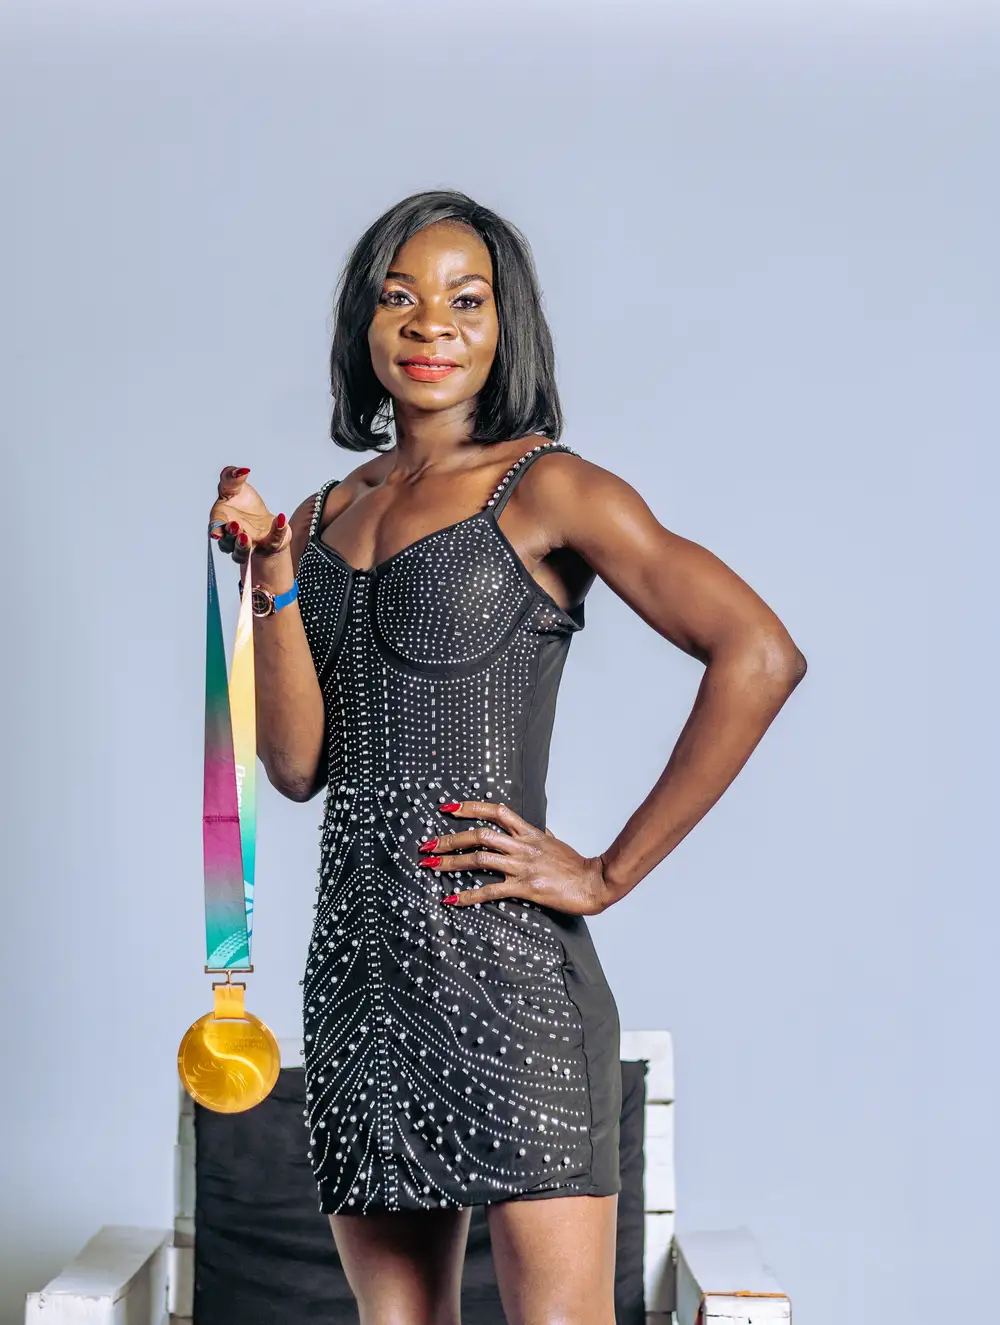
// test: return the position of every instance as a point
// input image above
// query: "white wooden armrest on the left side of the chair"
(119, 1279)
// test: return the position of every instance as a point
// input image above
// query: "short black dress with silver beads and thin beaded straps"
(454, 1057)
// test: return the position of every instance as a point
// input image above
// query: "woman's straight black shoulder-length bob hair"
(519, 398)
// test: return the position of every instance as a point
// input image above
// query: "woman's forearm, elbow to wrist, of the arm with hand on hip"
(738, 699)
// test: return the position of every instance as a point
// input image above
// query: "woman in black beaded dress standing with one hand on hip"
(462, 1039)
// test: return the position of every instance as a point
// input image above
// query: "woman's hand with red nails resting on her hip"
(538, 866)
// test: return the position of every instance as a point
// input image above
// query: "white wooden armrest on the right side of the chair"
(726, 1274)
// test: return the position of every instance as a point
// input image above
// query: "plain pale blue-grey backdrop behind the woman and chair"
(768, 246)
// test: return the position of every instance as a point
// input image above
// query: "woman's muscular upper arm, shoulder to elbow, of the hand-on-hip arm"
(677, 586)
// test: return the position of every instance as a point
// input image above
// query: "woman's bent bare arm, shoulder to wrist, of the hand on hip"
(693, 600)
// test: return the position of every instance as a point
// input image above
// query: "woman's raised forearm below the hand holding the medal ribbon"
(291, 719)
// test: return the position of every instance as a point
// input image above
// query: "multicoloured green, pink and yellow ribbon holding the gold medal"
(230, 817)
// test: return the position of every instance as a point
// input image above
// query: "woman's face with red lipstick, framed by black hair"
(436, 305)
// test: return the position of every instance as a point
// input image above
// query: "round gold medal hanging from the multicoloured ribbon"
(228, 1061)
